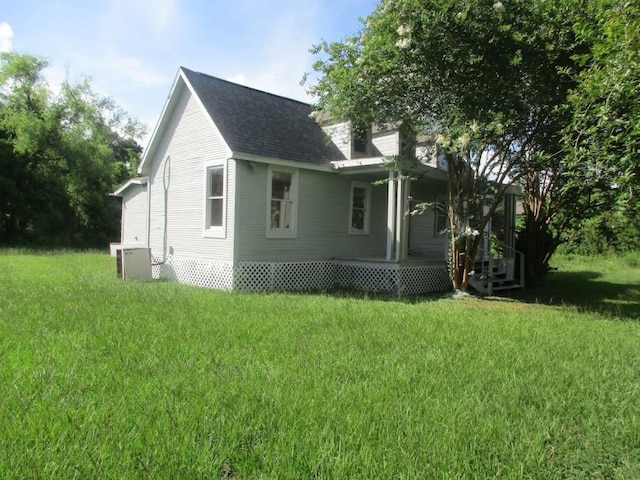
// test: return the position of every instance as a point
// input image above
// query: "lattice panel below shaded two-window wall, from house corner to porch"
(283, 276)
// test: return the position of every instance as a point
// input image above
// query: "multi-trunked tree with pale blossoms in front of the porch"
(480, 78)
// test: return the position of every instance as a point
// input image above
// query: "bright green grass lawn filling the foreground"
(102, 378)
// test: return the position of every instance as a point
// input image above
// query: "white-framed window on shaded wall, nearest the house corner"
(282, 195)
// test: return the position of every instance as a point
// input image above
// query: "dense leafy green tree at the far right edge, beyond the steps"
(597, 174)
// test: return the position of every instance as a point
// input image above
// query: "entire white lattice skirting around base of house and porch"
(317, 275)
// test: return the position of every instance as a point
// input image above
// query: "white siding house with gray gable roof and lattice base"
(242, 189)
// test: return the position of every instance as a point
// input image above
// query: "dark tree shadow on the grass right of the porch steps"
(586, 291)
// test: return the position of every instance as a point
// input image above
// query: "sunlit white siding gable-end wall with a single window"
(188, 143)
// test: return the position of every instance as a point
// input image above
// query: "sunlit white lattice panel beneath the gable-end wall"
(198, 272)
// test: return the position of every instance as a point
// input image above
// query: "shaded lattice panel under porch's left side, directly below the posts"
(373, 277)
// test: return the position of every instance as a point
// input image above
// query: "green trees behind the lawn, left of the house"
(61, 155)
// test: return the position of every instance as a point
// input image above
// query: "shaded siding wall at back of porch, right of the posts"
(423, 240)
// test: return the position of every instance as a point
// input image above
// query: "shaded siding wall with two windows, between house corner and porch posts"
(323, 219)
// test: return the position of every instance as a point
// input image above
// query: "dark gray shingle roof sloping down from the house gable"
(260, 123)
